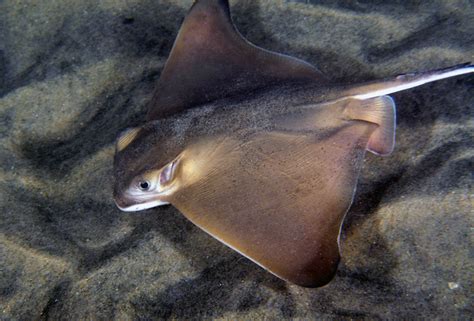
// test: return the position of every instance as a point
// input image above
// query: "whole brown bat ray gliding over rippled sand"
(258, 149)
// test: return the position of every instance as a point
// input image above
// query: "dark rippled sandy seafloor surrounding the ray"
(73, 74)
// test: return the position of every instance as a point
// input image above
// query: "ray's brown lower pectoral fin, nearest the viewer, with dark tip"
(278, 198)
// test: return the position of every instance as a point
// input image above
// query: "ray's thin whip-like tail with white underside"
(407, 81)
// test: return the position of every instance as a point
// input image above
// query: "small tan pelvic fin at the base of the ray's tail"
(380, 111)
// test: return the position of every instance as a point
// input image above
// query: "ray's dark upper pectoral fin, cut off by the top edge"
(211, 60)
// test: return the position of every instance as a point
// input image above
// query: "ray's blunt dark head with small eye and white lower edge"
(145, 167)
